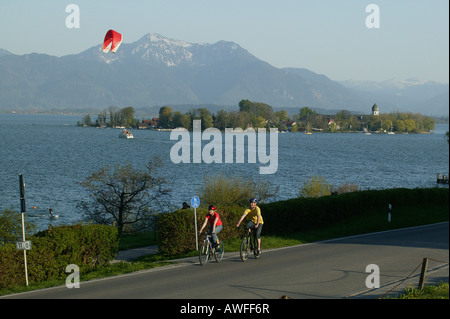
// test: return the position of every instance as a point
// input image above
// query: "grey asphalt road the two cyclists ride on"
(329, 269)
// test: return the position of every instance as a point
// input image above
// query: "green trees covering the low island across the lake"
(261, 115)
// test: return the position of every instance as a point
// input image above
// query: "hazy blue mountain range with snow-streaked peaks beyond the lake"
(156, 71)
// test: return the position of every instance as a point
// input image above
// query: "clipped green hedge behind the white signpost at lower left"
(87, 246)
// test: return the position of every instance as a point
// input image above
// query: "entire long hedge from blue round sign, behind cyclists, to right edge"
(176, 229)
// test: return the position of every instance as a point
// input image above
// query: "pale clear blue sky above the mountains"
(339, 38)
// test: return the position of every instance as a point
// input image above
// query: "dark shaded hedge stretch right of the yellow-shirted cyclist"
(301, 214)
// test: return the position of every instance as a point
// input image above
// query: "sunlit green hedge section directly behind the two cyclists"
(176, 230)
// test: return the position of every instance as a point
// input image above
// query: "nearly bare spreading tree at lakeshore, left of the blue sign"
(124, 195)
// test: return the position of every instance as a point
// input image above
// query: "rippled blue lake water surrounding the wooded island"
(54, 156)
